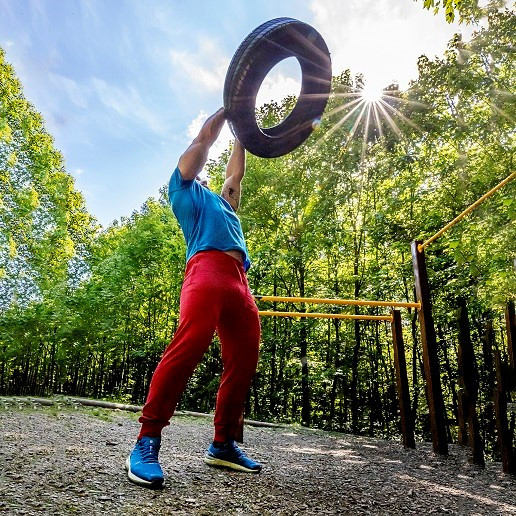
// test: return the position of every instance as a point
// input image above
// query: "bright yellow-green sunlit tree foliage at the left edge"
(44, 225)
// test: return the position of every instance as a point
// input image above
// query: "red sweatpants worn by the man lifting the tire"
(215, 296)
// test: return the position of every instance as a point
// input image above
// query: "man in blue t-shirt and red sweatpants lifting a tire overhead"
(215, 296)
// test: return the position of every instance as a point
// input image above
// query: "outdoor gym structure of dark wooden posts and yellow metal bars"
(468, 425)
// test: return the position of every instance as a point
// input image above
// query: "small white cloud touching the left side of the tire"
(205, 68)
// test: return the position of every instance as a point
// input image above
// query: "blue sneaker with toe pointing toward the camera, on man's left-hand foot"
(142, 465)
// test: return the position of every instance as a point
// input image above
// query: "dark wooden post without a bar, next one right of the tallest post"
(468, 395)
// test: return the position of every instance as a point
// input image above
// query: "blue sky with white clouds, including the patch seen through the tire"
(124, 85)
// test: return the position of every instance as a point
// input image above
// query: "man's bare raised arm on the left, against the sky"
(195, 156)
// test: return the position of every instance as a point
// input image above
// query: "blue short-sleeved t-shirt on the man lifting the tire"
(206, 219)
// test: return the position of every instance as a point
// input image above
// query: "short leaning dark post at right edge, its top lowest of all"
(502, 424)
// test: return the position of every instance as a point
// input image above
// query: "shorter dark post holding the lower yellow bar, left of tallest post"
(407, 418)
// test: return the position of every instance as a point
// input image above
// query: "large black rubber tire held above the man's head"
(266, 46)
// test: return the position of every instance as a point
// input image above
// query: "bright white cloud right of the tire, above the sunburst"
(388, 40)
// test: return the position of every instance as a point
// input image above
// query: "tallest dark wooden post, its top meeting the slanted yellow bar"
(430, 358)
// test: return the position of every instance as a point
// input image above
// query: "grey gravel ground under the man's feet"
(66, 460)
